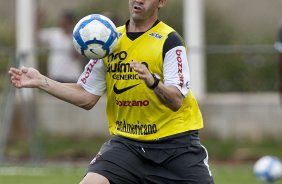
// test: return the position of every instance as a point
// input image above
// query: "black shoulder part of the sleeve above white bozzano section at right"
(173, 40)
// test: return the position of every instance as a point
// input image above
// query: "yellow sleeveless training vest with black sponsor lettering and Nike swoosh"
(133, 110)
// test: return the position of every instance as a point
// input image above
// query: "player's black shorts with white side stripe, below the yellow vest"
(179, 159)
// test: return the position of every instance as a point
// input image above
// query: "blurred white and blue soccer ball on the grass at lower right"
(268, 169)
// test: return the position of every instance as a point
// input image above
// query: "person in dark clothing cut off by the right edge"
(278, 46)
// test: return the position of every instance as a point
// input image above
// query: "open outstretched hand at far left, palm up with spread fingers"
(24, 77)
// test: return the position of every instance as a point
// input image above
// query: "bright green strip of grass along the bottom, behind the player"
(223, 174)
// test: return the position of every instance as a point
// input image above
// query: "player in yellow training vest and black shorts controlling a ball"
(153, 116)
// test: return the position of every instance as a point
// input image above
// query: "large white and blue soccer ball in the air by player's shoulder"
(95, 36)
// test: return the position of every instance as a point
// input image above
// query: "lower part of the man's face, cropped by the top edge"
(143, 9)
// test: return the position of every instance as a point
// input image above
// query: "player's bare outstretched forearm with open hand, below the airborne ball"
(71, 93)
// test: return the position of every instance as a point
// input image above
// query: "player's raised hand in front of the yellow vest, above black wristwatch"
(143, 72)
